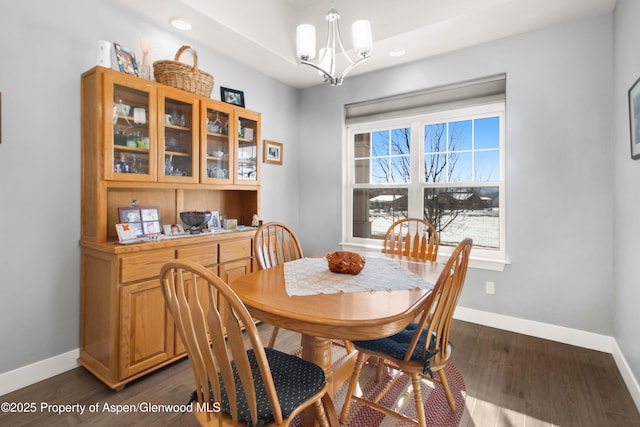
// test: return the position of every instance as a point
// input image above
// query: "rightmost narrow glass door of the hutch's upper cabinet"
(248, 131)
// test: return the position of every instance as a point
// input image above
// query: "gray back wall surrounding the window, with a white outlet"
(558, 163)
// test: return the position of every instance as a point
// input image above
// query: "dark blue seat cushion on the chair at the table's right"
(396, 346)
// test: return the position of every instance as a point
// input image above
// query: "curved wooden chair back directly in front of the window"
(414, 238)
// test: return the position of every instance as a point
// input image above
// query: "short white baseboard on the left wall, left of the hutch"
(38, 371)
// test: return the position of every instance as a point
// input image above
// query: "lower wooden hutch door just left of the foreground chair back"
(146, 328)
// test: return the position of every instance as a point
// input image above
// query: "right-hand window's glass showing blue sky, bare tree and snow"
(456, 153)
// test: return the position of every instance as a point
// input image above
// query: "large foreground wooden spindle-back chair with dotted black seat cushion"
(248, 383)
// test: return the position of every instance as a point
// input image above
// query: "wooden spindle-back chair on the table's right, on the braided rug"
(422, 348)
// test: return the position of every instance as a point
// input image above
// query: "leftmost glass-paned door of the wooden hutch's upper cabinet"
(130, 152)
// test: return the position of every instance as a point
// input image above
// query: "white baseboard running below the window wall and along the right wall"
(561, 334)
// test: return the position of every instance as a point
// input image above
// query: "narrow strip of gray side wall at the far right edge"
(626, 173)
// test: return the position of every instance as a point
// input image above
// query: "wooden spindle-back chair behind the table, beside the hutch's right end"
(273, 244)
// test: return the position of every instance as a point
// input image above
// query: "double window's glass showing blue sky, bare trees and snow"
(460, 181)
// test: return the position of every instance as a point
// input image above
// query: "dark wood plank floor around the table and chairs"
(511, 380)
